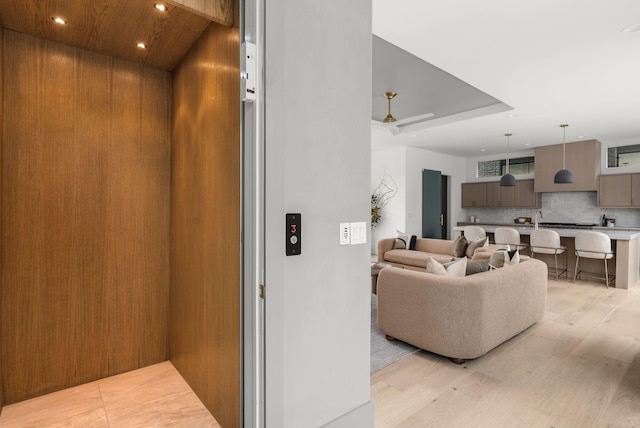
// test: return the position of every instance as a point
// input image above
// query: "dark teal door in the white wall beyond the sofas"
(432, 212)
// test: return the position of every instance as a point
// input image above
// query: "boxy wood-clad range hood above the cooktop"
(582, 159)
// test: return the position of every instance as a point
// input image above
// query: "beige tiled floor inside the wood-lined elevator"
(155, 396)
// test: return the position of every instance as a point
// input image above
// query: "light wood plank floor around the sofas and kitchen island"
(578, 367)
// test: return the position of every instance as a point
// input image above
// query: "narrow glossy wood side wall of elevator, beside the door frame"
(204, 321)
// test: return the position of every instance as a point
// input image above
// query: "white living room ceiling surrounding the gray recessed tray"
(552, 62)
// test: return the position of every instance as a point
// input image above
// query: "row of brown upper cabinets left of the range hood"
(491, 194)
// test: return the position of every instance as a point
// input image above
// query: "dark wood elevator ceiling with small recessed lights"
(110, 27)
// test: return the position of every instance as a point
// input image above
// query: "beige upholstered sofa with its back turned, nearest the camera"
(461, 317)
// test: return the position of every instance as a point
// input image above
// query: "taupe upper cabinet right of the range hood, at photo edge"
(619, 191)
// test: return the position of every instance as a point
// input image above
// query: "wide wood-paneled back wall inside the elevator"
(85, 242)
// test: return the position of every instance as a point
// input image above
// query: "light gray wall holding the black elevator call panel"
(318, 163)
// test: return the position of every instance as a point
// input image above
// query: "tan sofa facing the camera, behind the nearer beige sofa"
(440, 249)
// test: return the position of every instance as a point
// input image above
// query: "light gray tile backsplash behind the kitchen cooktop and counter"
(575, 207)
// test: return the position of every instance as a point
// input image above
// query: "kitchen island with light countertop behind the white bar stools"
(625, 243)
